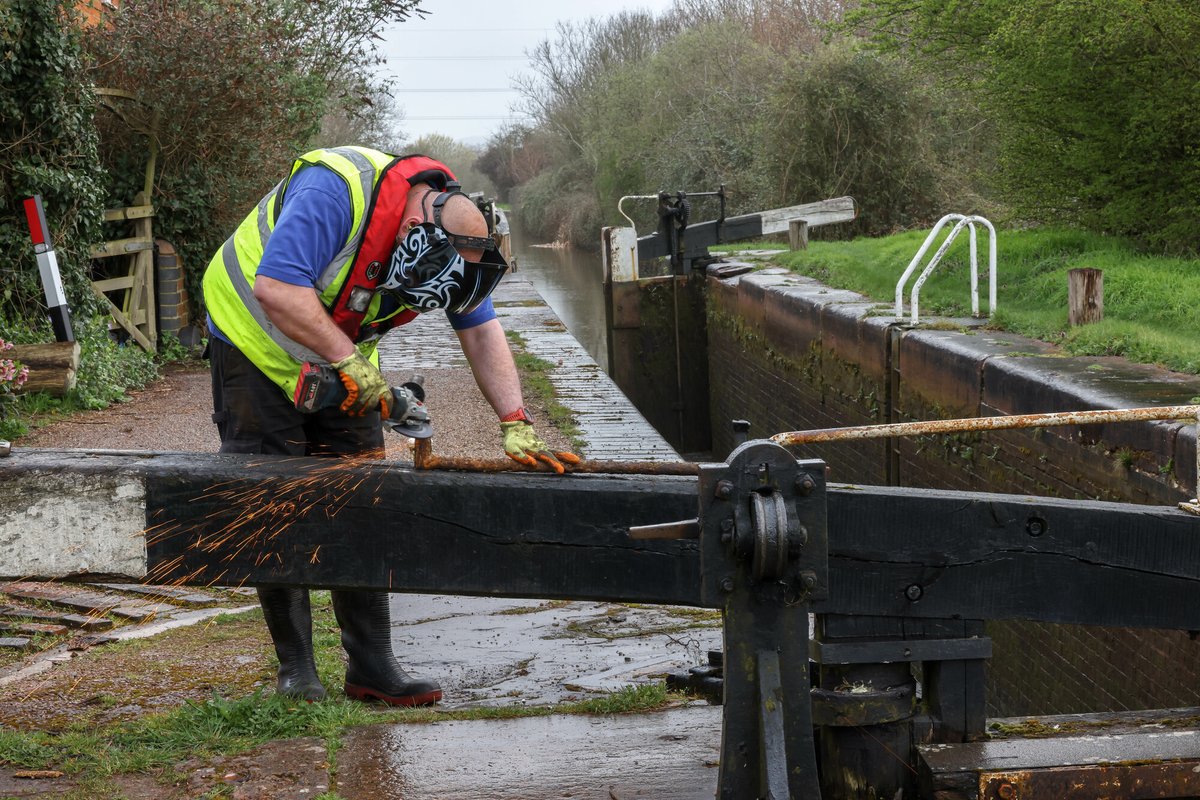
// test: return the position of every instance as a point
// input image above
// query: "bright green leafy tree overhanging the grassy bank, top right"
(1094, 103)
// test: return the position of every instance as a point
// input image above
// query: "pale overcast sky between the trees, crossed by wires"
(455, 68)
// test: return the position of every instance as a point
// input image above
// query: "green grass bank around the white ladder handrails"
(1151, 303)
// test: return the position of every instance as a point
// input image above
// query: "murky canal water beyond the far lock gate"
(572, 281)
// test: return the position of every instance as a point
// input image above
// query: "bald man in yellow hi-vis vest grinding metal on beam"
(352, 244)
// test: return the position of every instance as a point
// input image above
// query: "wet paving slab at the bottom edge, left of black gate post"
(665, 756)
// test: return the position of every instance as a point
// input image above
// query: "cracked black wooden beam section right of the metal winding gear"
(904, 552)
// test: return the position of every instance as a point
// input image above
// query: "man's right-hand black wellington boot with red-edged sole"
(373, 672)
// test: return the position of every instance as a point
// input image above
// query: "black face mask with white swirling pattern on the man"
(428, 273)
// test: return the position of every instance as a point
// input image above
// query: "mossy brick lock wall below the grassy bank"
(789, 354)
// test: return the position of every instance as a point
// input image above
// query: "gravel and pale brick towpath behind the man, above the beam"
(175, 413)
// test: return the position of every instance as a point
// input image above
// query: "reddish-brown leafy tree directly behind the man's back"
(241, 88)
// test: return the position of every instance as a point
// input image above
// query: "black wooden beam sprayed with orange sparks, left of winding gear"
(260, 520)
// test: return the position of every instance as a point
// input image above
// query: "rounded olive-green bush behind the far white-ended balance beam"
(848, 122)
